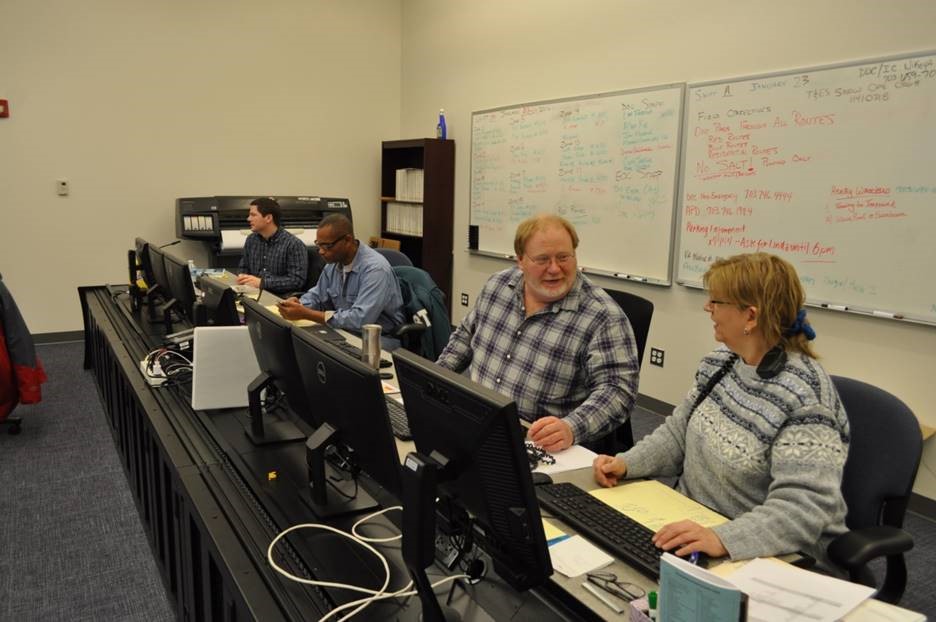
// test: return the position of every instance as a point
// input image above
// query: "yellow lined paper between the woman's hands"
(653, 505)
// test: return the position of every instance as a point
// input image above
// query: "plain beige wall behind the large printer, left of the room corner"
(139, 103)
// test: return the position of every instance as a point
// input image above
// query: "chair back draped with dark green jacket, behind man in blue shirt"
(422, 299)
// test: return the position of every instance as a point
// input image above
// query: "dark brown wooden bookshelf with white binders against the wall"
(423, 228)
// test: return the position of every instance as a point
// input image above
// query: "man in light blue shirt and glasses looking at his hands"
(357, 286)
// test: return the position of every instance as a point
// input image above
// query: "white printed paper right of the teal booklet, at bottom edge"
(779, 591)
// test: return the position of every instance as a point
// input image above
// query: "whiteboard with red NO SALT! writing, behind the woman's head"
(831, 168)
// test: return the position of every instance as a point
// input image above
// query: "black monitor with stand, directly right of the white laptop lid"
(271, 337)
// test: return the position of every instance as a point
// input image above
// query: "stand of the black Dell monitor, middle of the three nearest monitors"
(346, 496)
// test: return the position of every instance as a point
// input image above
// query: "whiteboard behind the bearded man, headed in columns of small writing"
(607, 163)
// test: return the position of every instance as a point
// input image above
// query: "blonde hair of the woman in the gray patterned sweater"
(768, 283)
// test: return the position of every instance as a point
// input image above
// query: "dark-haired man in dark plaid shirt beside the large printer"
(271, 253)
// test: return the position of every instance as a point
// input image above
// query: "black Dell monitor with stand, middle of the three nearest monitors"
(350, 401)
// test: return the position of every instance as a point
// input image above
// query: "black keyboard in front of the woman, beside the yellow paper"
(617, 533)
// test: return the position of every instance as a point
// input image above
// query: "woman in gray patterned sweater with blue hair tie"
(762, 436)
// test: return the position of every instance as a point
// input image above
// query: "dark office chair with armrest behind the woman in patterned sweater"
(883, 457)
